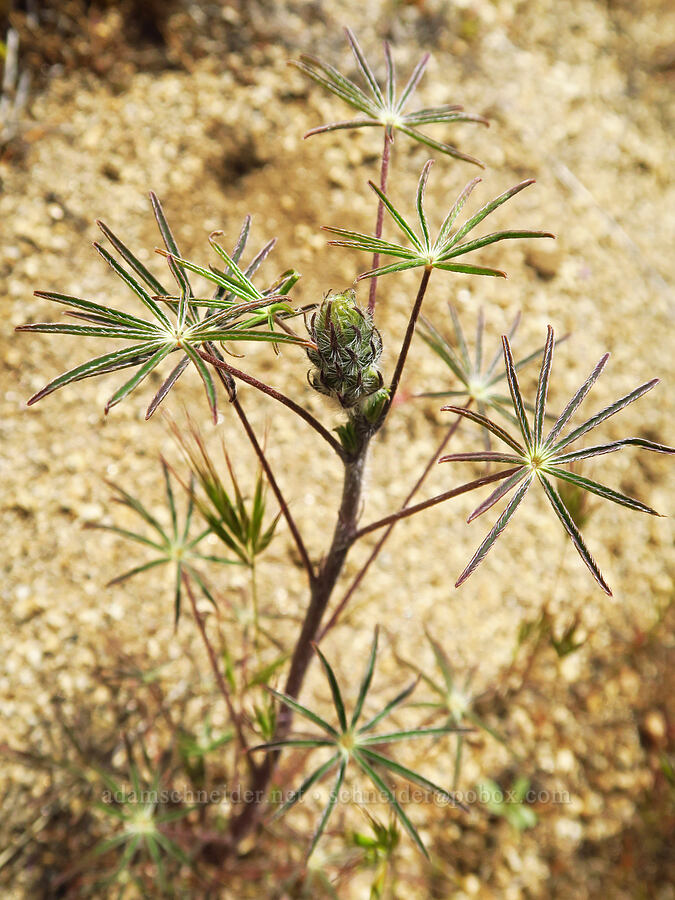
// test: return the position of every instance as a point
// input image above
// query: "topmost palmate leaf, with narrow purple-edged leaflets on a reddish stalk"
(379, 104)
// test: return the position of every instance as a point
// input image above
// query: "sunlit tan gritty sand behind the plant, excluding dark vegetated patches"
(579, 97)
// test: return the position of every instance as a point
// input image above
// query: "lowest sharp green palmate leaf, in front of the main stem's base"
(357, 744)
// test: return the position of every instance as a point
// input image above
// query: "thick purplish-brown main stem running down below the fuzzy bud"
(321, 589)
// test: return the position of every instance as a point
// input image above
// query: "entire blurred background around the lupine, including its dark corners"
(104, 101)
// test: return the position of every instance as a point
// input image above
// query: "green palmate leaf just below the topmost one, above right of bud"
(443, 251)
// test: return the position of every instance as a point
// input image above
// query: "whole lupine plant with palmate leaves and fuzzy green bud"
(341, 341)
